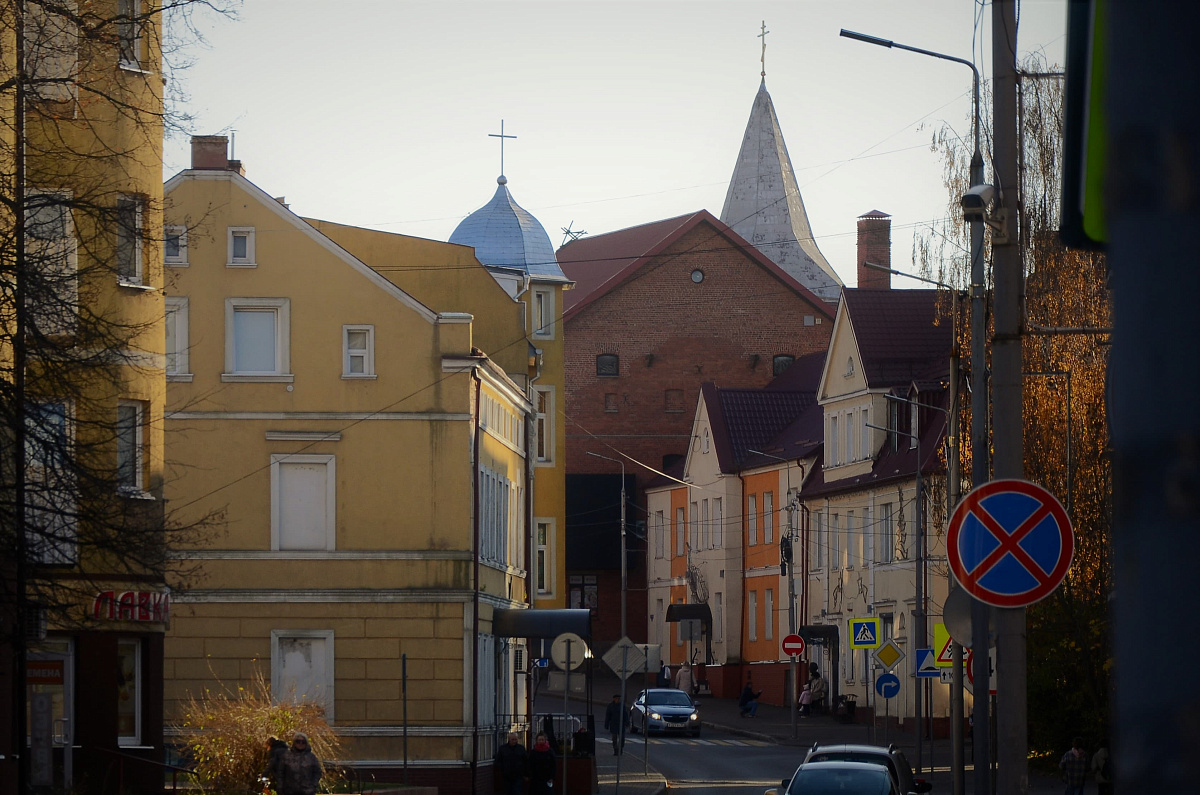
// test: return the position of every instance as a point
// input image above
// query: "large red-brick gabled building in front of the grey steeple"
(658, 310)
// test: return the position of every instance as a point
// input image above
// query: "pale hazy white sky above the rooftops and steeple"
(377, 113)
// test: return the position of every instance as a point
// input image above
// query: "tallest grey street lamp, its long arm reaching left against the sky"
(980, 463)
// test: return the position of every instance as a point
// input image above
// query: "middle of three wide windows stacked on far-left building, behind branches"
(52, 292)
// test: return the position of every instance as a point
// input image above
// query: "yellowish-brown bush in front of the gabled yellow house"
(227, 734)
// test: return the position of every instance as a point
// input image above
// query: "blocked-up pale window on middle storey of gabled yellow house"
(304, 509)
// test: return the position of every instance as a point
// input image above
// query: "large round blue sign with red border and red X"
(1010, 543)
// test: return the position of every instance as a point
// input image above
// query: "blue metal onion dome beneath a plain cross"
(506, 236)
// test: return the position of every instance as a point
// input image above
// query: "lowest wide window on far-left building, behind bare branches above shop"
(51, 495)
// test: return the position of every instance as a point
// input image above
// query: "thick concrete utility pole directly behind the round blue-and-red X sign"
(1012, 732)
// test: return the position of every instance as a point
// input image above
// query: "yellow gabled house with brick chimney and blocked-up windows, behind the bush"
(368, 463)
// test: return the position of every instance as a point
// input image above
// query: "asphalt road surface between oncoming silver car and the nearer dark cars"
(713, 764)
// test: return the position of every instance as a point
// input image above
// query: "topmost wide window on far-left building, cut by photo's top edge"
(52, 51)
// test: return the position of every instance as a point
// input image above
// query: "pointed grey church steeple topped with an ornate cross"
(764, 204)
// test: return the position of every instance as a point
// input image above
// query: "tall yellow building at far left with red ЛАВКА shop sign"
(82, 157)
